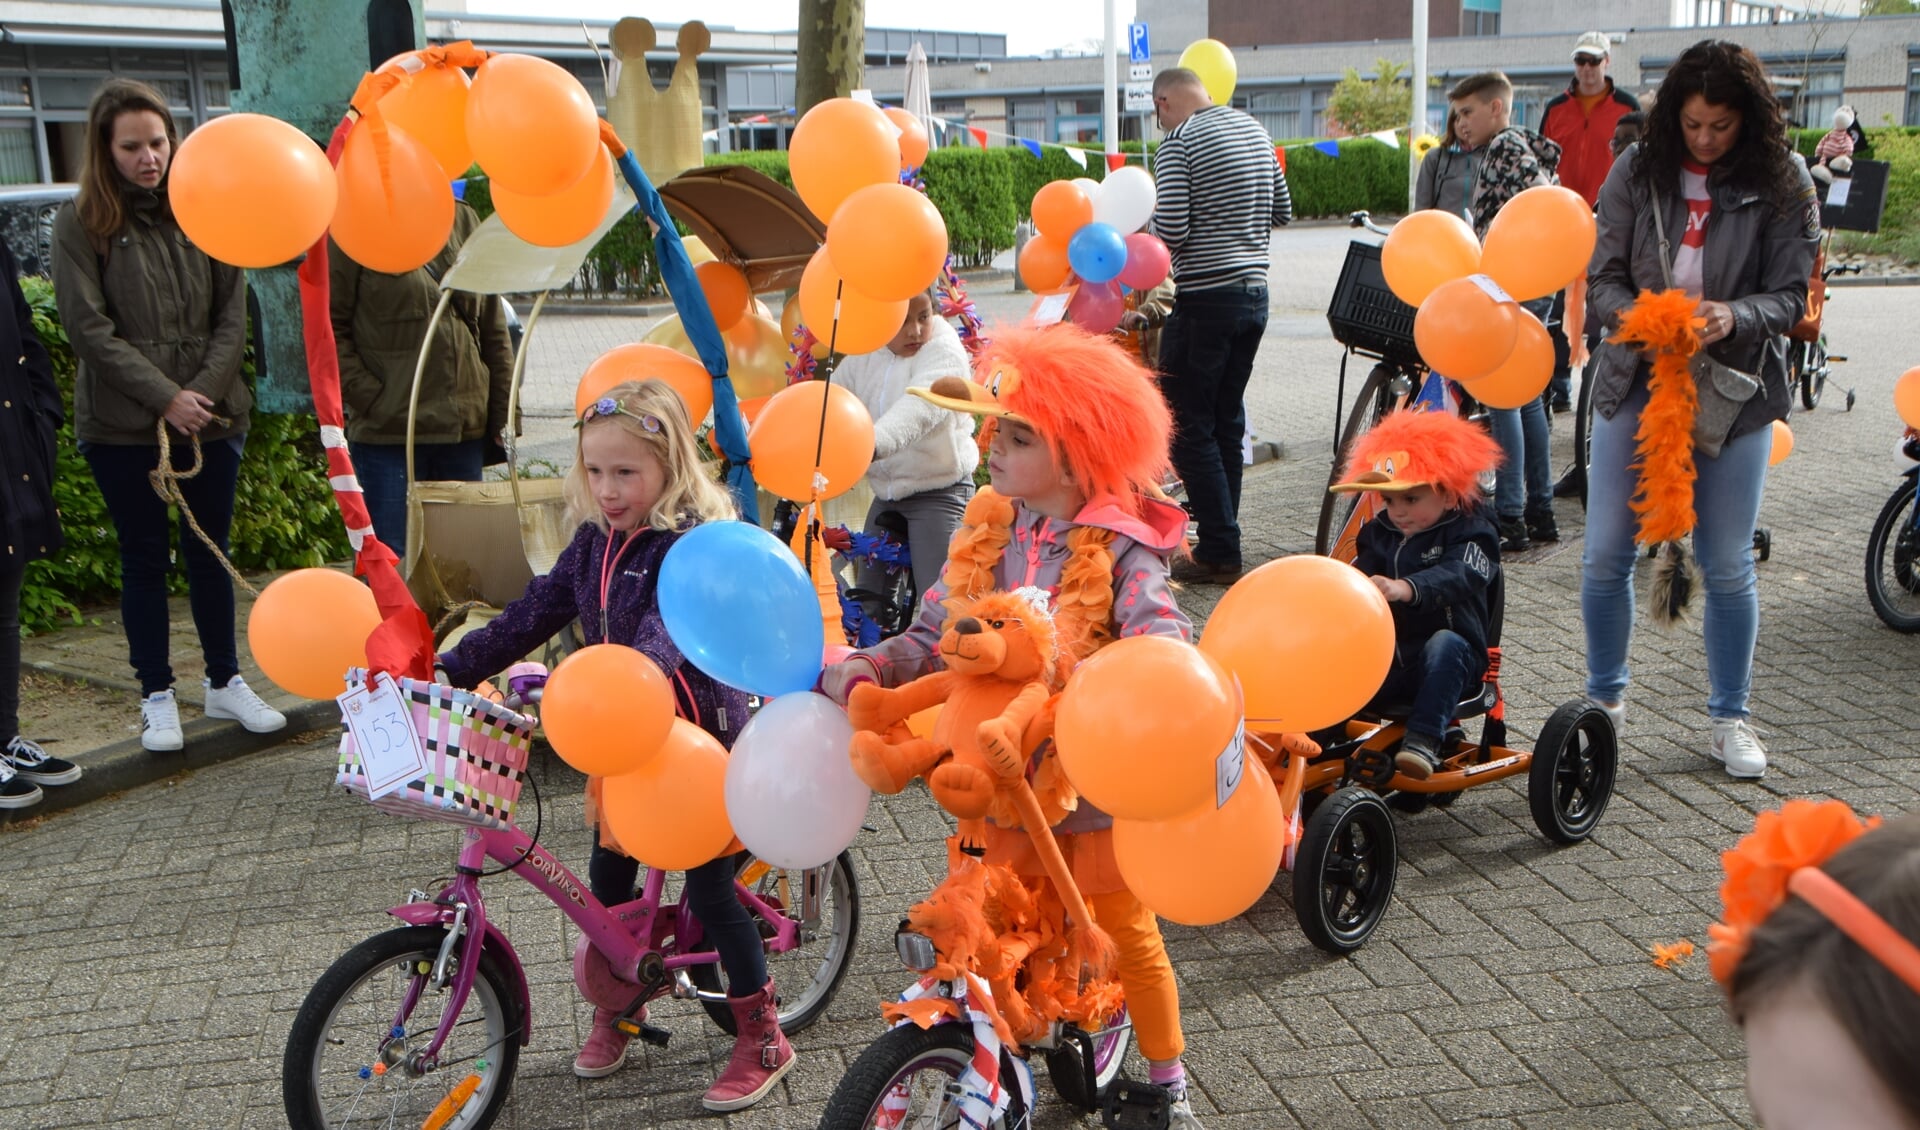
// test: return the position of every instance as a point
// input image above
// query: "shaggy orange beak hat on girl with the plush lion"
(1093, 402)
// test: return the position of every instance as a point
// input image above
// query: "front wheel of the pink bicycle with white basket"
(350, 1056)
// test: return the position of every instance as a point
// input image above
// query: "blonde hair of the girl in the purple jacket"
(690, 492)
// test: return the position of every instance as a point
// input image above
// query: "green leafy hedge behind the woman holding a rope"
(283, 515)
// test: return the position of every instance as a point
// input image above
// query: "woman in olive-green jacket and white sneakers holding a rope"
(158, 331)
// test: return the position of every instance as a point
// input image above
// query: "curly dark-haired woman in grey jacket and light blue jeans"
(1742, 227)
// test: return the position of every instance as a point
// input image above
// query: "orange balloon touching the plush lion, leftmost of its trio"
(1147, 765)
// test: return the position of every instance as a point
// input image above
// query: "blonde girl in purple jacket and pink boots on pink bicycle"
(636, 486)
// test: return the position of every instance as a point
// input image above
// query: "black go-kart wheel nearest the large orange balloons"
(1345, 870)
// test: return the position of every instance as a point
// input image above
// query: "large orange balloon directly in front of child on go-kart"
(1310, 640)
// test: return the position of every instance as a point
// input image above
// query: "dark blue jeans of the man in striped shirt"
(1207, 358)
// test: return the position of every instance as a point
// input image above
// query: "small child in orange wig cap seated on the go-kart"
(1433, 553)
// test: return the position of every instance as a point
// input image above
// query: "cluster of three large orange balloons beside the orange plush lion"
(1155, 732)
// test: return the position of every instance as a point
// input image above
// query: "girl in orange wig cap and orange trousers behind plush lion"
(1078, 440)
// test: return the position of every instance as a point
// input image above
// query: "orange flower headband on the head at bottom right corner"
(1783, 857)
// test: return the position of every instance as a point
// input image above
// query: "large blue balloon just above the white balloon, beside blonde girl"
(742, 609)
